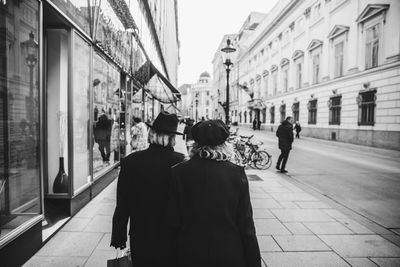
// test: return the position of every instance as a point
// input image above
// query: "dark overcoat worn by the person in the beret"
(210, 206)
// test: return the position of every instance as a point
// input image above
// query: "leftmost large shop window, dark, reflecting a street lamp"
(19, 114)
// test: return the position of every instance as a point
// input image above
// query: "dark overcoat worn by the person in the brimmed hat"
(142, 194)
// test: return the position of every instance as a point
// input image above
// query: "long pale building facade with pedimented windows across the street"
(332, 65)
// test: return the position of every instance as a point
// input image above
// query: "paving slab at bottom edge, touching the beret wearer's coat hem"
(303, 259)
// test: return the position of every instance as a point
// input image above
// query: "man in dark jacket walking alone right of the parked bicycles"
(285, 135)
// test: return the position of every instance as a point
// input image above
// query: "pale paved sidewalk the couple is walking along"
(294, 228)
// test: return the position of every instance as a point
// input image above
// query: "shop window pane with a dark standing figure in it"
(106, 82)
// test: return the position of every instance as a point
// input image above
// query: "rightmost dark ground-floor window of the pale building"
(366, 107)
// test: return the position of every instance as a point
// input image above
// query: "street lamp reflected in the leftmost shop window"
(30, 48)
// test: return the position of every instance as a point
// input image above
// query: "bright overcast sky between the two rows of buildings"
(202, 24)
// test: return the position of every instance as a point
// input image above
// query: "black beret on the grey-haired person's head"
(211, 132)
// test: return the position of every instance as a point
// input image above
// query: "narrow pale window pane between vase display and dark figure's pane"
(81, 112)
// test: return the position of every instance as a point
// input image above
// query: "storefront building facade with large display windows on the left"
(69, 73)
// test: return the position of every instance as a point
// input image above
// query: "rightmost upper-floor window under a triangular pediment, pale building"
(372, 46)
